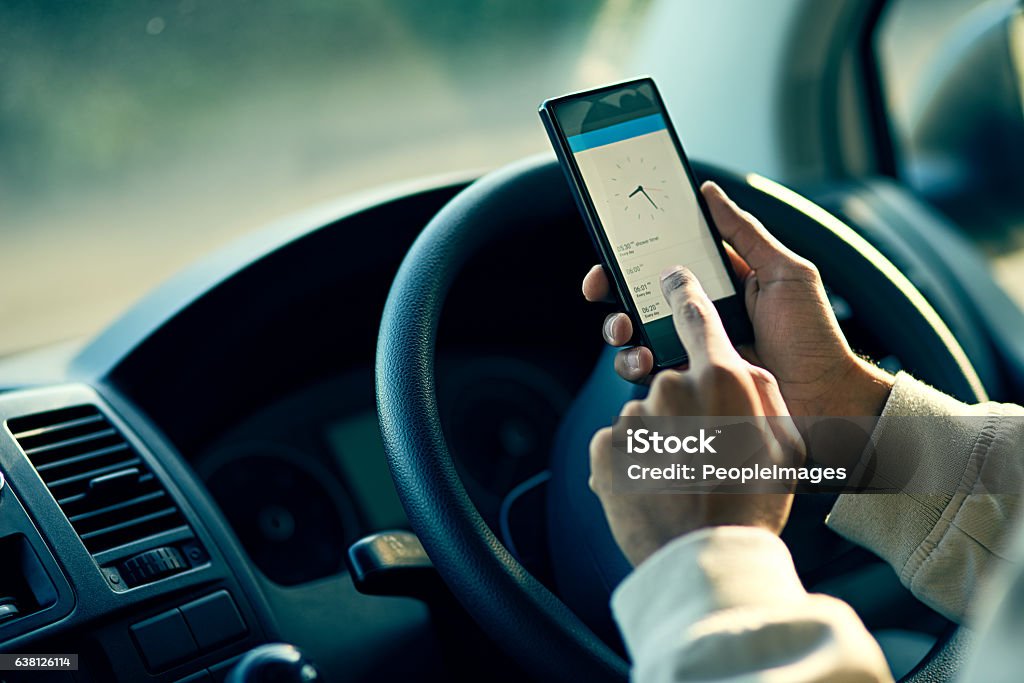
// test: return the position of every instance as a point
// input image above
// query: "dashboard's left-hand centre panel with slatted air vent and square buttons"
(109, 553)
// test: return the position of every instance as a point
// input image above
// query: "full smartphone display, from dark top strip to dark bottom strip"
(646, 202)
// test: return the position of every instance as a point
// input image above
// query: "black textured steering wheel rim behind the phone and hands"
(531, 623)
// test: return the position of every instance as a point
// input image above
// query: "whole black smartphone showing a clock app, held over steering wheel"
(643, 207)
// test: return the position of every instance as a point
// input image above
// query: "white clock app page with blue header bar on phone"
(649, 209)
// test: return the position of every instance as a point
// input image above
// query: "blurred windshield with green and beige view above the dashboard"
(136, 137)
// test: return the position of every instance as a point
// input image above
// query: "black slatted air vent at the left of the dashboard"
(111, 497)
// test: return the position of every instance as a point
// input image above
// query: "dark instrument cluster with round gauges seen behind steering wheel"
(322, 447)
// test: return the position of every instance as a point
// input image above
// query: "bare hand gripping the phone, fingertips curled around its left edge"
(798, 339)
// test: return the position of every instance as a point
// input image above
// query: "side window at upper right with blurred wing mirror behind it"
(952, 76)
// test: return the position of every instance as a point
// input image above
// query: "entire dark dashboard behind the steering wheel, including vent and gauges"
(210, 458)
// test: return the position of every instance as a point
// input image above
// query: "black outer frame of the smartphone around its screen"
(739, 329)
